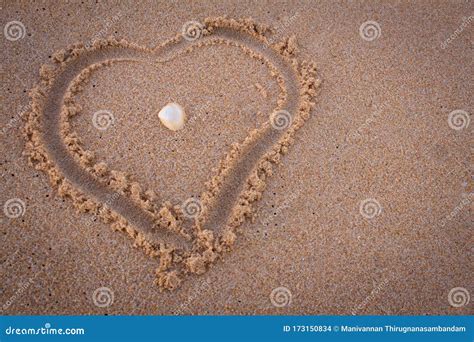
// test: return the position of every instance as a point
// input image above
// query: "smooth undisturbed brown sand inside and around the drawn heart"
(380, 133)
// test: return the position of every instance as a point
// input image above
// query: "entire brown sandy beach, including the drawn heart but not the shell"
(324, 167)
